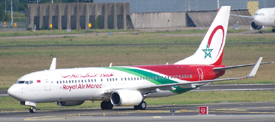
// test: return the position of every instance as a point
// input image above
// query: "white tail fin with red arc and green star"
(211, 48)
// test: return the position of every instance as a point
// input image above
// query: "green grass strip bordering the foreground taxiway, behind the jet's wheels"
(8, 103)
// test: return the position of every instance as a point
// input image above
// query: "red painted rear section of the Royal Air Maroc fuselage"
(173, 70)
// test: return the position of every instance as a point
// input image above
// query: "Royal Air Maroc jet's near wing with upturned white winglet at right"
(164, 86)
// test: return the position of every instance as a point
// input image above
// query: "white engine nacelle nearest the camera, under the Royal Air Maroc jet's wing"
(126, 97)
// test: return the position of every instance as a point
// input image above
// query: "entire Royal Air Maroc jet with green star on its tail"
(130, 85)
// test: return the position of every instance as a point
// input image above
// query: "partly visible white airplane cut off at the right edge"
(262, 17)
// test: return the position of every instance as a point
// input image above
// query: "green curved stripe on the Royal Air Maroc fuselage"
(154, 78)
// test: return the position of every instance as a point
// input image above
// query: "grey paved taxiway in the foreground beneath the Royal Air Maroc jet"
(257, 111)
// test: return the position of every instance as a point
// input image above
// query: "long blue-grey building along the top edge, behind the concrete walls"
(143, 6)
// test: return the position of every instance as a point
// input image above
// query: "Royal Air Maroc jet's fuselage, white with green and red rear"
(79, 84)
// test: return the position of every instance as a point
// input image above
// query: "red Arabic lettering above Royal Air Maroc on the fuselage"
(88, 75)
